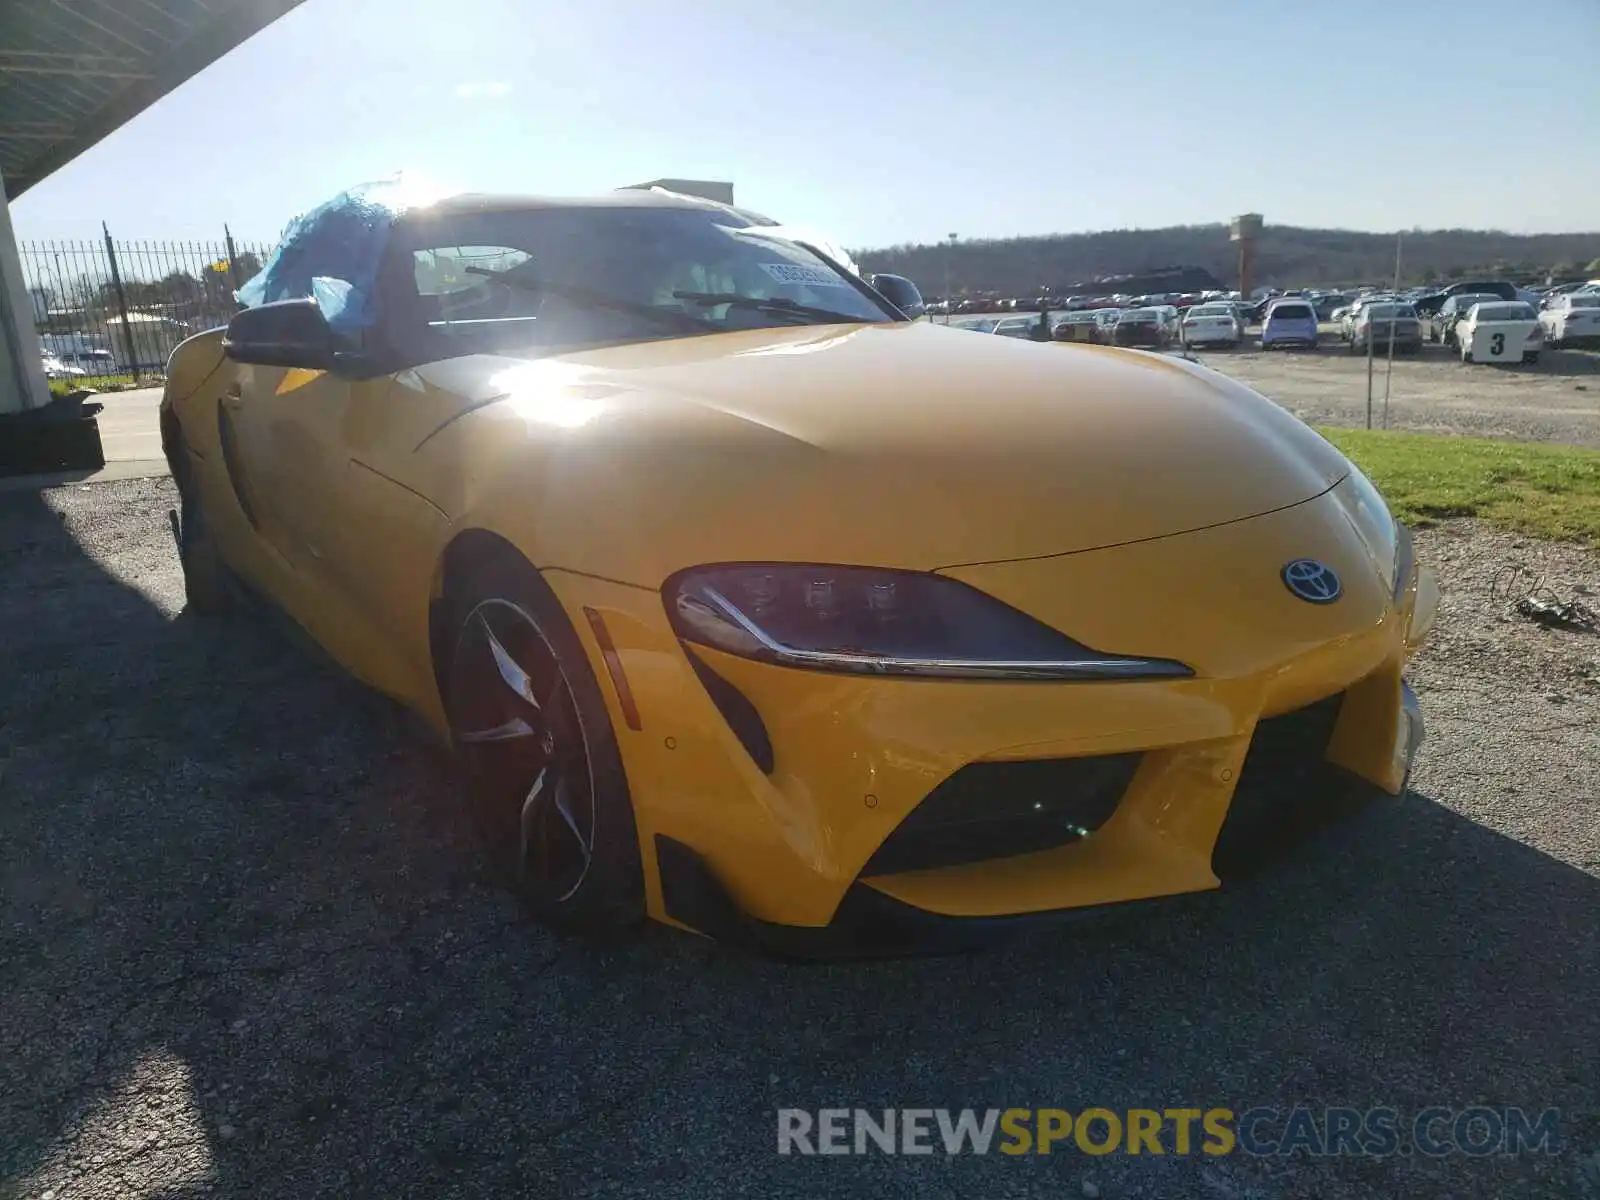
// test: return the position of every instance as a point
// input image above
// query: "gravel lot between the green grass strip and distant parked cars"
(1434, 393)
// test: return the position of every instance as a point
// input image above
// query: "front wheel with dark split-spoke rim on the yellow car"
(542, 777)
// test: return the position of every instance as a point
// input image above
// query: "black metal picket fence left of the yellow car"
(111, 313)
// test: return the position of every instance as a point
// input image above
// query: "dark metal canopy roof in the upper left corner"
(74, 71)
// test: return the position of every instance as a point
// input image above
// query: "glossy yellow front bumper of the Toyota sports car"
(806, 846)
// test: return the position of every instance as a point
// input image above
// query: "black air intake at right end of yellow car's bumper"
(1286, 786)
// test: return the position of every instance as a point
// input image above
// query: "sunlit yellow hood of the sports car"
(903, 446)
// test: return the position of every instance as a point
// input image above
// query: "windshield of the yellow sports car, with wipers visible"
(545, 279)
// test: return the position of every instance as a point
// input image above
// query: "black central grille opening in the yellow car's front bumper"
(998, 810)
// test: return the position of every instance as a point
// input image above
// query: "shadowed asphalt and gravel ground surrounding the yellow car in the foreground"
(249, 948)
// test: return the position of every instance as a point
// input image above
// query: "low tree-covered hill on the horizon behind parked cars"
(1286, 257)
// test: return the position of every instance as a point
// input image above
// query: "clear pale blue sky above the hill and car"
(884, 121)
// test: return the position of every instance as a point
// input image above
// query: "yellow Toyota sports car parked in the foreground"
(758, 607)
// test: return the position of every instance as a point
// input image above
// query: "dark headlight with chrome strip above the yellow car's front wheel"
(882, 623)
